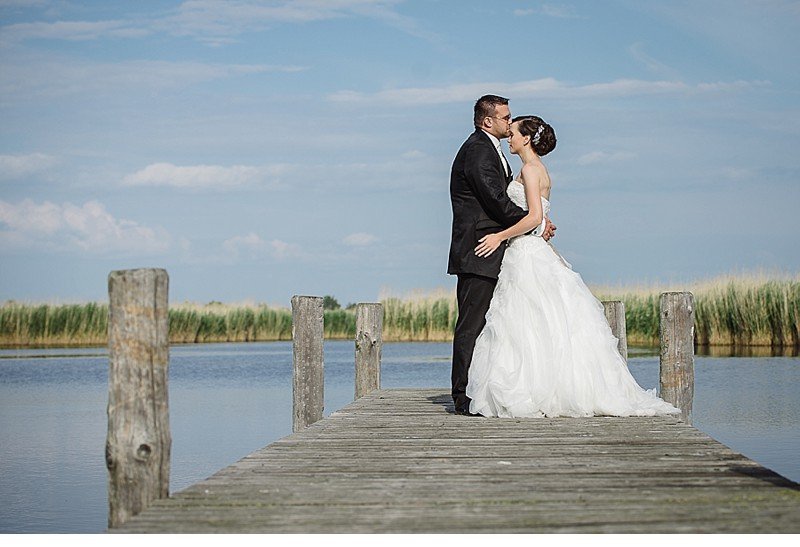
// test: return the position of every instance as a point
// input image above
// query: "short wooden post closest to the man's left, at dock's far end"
(369, 342)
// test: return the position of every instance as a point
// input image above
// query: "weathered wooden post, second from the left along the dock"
(308, 376)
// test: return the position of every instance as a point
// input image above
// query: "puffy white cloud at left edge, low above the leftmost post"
(88, 228)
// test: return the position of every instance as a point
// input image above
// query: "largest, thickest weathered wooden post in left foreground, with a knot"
(138, 442)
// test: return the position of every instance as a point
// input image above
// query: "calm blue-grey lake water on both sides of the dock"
(227, 400)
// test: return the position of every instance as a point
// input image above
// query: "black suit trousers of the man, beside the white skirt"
(474, 293)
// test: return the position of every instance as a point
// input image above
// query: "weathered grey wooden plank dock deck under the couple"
(400, 461)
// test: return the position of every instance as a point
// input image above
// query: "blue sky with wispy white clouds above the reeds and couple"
(258, 150)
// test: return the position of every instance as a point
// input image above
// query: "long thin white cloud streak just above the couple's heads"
(548, 88)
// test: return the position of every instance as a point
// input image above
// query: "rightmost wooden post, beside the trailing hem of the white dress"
(676, 329)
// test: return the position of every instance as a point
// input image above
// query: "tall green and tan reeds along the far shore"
(731, 310)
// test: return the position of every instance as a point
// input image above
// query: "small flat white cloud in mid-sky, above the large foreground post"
(214, 177)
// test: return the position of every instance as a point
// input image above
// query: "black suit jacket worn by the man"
(481, 206)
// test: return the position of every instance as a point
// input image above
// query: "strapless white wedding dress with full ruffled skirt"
(547, 349)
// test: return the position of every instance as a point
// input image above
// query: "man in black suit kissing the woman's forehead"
(478, 182)
